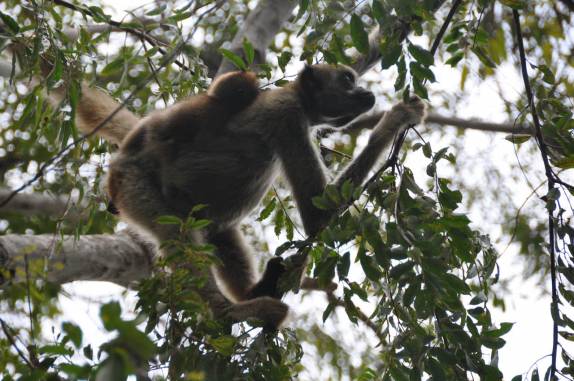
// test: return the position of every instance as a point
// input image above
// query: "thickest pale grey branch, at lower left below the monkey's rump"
(120, 258)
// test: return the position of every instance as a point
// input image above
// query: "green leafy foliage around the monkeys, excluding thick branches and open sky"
(416, 278)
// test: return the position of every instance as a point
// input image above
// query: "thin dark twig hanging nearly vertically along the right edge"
(551, 182)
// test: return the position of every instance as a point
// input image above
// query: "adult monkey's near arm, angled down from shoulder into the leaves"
(305, 174)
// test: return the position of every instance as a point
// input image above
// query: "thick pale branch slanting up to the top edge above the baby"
(260, 28)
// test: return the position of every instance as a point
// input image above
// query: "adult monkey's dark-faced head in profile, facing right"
(331, 95)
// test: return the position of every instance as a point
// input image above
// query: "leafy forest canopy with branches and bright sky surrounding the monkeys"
(420, 252)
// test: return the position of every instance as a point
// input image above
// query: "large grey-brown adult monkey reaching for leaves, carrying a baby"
(165, 169)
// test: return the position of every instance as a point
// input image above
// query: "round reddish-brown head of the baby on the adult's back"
(235, 89)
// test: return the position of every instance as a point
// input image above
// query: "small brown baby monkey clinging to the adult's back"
(195, 121)
